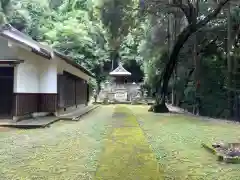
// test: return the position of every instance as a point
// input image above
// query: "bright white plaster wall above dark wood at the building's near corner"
(35, 75)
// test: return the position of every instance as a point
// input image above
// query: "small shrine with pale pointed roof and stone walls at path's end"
(120, 89)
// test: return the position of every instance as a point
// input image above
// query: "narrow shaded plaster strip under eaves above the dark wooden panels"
(63, 66)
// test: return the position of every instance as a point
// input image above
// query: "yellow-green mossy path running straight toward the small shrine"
(127, 154)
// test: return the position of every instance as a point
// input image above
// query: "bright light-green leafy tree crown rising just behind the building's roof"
(79, 37)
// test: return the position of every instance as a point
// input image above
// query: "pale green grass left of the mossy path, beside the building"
(65, 151)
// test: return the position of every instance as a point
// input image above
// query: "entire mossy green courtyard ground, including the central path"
(102, 143)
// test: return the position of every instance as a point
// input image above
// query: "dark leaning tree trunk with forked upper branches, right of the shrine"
(193, 26)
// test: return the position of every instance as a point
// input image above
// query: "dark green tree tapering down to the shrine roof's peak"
(118, 20)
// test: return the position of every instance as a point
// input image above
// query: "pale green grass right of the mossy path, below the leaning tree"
(177, 139)
